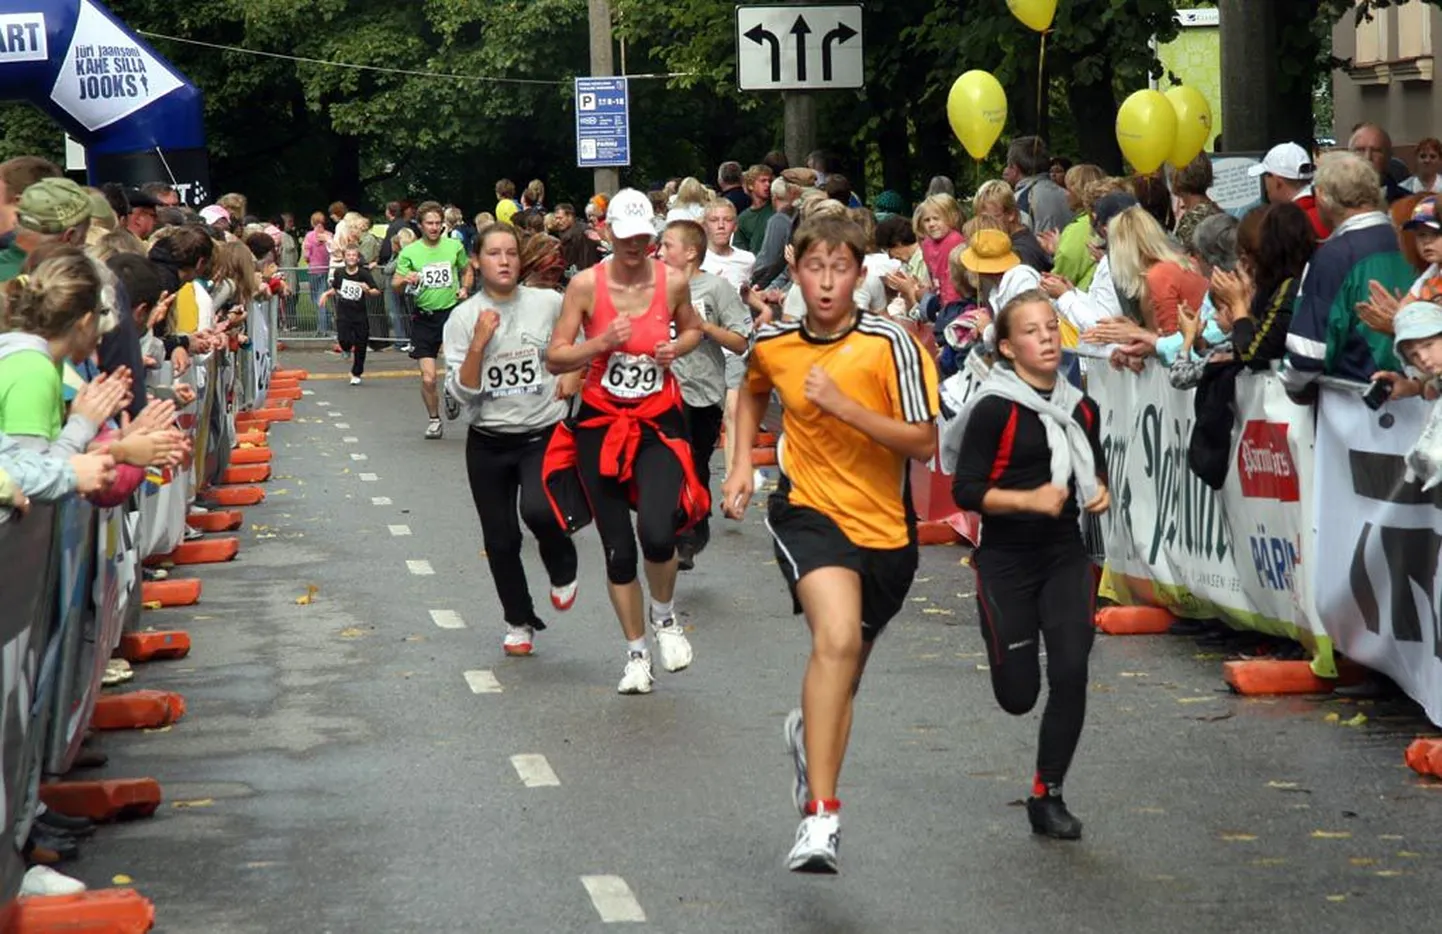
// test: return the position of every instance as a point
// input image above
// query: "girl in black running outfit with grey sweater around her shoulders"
(1035, 577)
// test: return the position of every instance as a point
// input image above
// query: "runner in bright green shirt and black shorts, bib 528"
(432, 269)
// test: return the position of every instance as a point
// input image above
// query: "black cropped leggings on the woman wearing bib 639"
(657, 476)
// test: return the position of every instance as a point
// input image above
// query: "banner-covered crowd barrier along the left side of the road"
(73, 584)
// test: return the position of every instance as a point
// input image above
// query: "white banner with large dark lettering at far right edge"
(1376, 579)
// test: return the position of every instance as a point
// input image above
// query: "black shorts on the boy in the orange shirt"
(808, 541)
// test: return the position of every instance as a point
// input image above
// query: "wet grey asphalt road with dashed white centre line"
(338, 770)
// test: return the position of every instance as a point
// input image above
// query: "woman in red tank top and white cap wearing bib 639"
(629, 439)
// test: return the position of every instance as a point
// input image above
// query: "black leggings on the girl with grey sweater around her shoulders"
(1023, 595)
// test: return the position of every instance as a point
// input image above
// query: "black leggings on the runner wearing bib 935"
(505, 473)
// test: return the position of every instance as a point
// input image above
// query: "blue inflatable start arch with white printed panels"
(138, 119)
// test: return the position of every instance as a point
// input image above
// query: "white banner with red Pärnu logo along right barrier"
(1175, 543)
